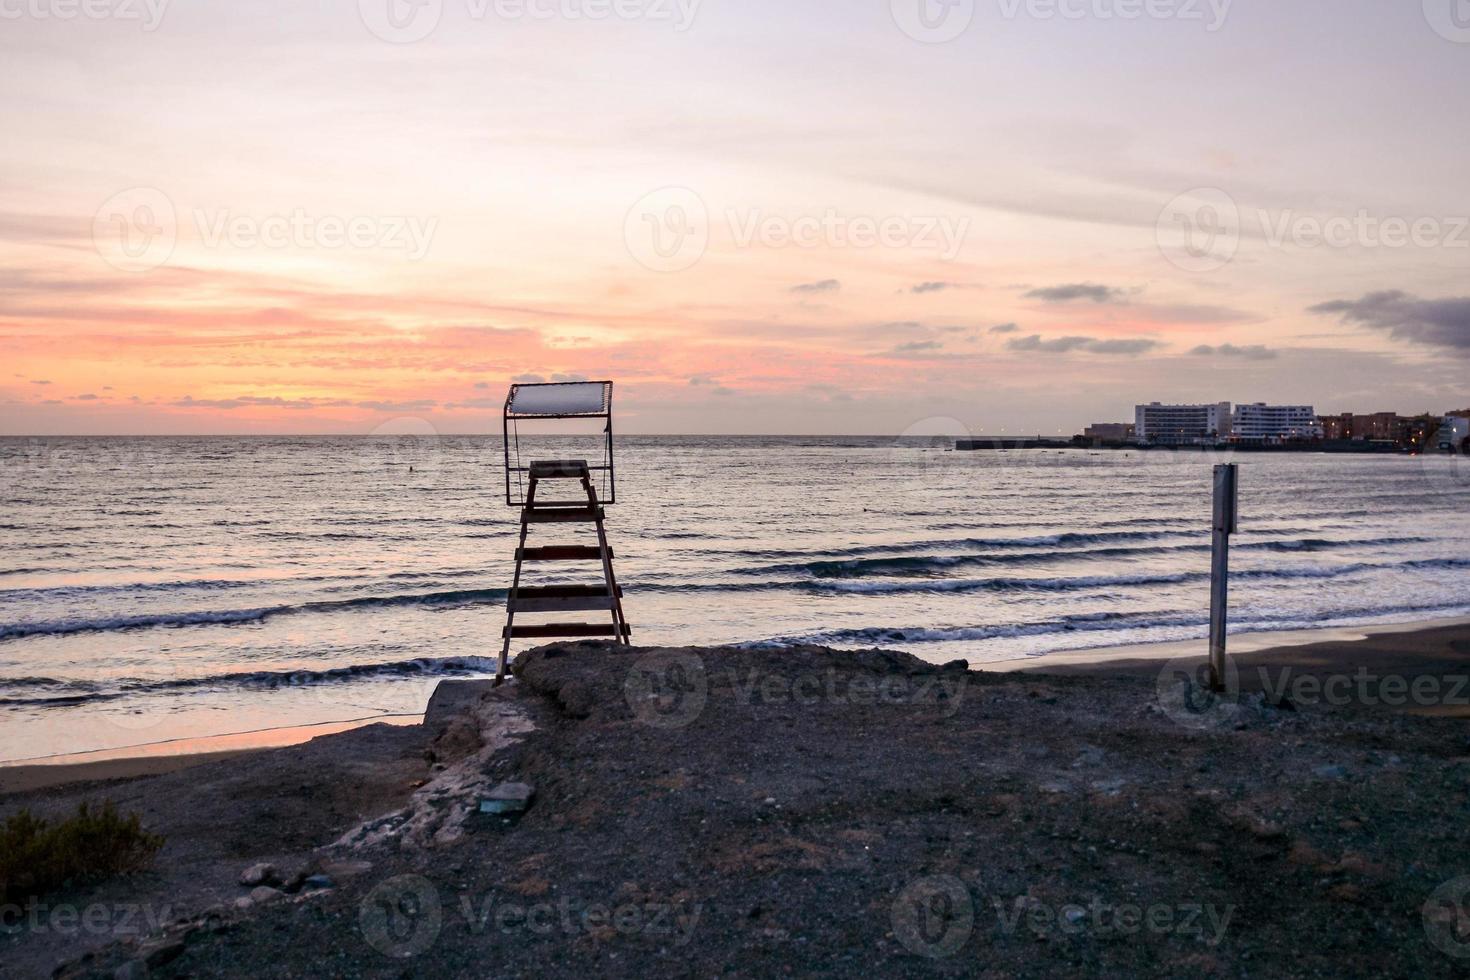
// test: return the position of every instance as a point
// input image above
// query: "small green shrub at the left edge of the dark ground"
(39, 856)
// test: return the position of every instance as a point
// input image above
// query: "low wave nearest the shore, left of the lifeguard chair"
(73, 693)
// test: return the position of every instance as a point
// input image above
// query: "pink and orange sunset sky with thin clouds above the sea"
(833, 217)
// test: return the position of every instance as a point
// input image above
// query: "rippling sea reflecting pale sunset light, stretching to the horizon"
(157, 590)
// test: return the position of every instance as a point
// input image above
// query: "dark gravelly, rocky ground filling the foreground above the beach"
(797, 813)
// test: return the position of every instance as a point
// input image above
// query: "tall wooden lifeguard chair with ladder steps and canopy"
(590, 400)
